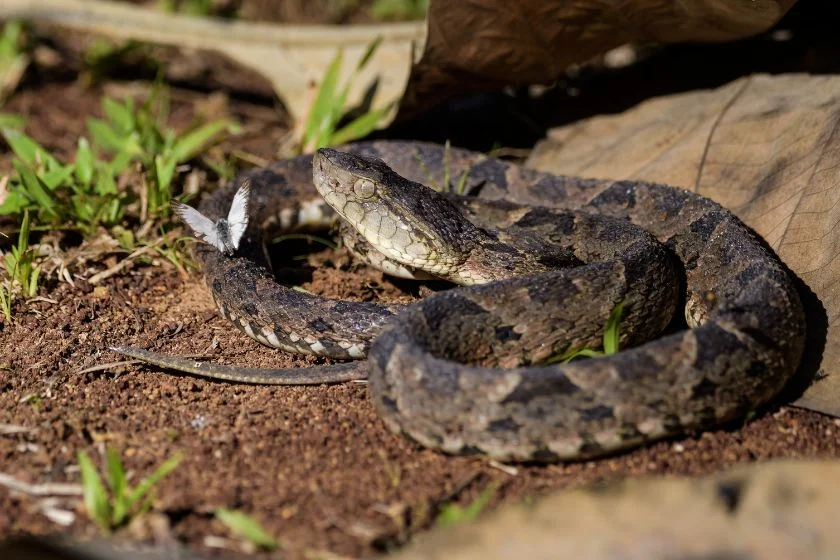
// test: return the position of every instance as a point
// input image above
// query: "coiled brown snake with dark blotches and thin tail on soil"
(539, 262)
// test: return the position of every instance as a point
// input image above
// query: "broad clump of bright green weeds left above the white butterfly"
(83, 194)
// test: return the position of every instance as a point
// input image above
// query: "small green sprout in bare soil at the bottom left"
(115, 506)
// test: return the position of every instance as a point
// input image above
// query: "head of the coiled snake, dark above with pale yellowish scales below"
(405, 221)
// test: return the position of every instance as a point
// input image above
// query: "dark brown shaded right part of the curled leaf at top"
(486, 44)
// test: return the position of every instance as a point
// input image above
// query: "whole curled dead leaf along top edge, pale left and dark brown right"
(472, 46)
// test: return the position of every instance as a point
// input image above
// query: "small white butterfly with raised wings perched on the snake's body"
(225, 234)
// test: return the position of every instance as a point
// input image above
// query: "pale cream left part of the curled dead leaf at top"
(293, 58)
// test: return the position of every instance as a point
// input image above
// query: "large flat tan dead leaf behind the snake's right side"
(766, 147)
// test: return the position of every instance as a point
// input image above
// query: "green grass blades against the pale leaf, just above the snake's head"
(329, 111)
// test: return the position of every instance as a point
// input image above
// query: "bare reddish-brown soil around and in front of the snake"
(313, 464)
